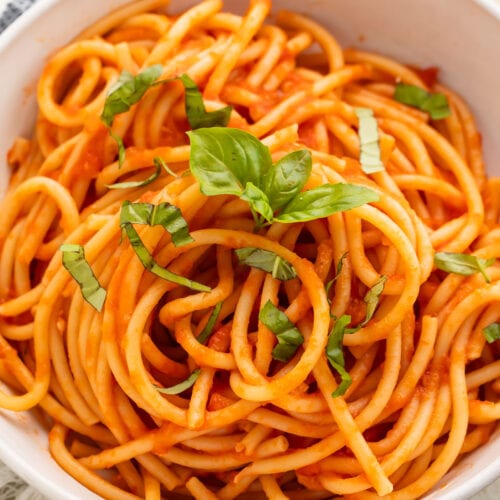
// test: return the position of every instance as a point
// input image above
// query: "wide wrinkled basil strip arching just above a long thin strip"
(166, 215)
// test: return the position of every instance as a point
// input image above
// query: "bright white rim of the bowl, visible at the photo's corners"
(17, 462)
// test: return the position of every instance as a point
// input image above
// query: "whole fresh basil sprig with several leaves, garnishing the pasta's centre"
(232, 161)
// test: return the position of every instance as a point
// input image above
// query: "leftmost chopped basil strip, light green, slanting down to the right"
(73, 259)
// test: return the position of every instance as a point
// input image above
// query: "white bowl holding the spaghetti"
(461, 37)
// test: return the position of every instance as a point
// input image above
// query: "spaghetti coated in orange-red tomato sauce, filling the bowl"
(416, 385)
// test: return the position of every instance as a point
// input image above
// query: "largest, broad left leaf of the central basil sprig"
(224, 160)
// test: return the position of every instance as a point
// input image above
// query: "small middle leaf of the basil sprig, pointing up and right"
(286, 178)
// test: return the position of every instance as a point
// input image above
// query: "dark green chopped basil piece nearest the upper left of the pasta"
(127, 91)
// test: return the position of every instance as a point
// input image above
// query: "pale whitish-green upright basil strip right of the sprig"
(368, 141)
